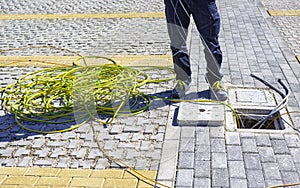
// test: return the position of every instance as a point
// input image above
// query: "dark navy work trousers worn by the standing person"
(207, 20)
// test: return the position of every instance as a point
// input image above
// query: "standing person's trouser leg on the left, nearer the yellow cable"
(178, 20)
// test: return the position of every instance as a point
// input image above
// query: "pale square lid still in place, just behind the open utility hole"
(251, 97)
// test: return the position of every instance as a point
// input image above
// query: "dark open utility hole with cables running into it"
(248, 119)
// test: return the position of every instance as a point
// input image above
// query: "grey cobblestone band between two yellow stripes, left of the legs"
(87, 36)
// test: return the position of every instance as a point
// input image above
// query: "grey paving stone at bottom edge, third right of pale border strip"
(220, 178)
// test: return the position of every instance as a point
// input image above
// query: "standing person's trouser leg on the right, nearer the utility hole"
(207, 19)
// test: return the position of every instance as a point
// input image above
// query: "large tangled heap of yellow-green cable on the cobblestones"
(68, 97)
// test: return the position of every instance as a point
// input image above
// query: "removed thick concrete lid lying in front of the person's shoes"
(207, 114)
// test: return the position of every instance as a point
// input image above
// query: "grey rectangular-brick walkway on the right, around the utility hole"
(213, 157)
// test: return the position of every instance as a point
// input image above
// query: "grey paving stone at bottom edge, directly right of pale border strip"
(184, 177)
